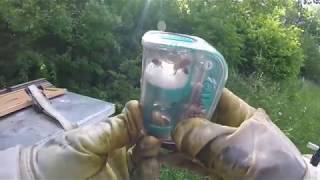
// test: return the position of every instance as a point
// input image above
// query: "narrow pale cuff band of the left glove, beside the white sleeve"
(27, 157)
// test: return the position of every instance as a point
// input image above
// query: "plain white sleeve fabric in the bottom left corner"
(9, 166)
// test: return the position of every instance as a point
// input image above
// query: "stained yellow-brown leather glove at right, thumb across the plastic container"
(256, 149)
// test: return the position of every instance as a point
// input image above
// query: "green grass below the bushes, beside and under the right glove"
(294, 105)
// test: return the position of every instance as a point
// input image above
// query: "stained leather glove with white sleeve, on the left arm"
(91, 152)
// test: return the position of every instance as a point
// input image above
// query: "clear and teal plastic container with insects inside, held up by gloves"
(182, 77)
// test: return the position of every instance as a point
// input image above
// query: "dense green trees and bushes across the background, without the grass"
(84, 45)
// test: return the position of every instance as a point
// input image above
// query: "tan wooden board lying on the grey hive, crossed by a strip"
(19, 99)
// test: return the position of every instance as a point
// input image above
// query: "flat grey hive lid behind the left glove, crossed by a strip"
(27, 127)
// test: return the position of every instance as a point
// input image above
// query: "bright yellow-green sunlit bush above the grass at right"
(273, 49)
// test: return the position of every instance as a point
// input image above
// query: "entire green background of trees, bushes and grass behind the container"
(93, 47)
